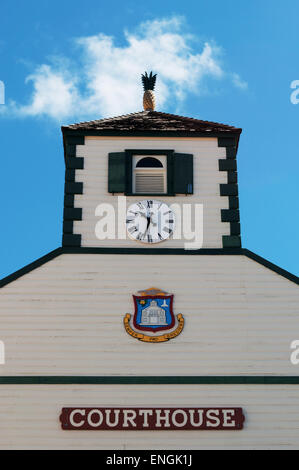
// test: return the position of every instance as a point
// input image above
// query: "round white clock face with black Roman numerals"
(150, 221)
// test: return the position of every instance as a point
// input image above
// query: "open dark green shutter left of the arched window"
(117, 172)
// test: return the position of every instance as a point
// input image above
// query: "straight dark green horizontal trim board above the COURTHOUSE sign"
(153, 380)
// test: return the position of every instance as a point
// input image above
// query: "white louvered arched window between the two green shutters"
(149, 174)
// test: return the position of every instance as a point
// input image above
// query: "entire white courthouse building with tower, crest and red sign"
(139, 339)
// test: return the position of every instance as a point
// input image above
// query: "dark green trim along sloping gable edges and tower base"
(237, 251)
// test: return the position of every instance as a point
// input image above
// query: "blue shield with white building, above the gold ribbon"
(153, 311)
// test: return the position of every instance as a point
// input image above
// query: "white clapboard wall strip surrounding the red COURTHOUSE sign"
(30, 416)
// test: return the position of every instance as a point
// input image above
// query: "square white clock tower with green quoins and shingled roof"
(170, 172)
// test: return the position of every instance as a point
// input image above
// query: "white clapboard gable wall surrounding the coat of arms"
(66, 317)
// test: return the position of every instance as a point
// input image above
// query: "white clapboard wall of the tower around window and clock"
(207, 179)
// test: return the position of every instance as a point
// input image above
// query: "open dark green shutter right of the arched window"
(183, 173)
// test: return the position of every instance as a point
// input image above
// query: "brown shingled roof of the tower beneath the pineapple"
(152, 121)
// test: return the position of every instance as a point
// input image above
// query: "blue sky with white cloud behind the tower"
(231, 62)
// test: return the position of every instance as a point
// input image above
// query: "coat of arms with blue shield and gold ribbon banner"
(153, 316)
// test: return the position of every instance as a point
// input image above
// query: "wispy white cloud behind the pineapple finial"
(105, 79)
